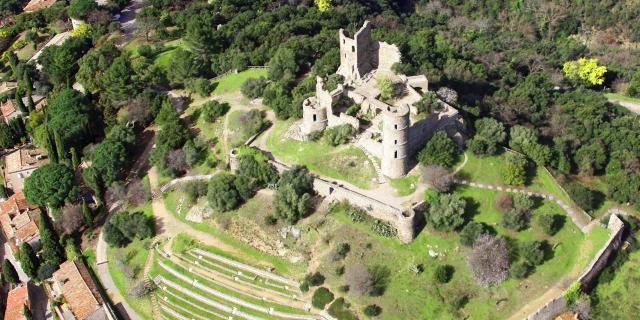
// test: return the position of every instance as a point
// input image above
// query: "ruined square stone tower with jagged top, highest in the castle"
(356, 58)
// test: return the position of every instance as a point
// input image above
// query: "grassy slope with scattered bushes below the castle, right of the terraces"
(418, 296)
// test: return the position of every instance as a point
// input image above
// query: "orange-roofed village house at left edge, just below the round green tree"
(19, 222)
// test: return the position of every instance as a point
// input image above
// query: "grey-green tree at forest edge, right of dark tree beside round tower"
(489, 134)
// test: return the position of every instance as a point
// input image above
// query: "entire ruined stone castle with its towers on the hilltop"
(393, 130)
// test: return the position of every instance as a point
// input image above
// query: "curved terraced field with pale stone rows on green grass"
(201, 285)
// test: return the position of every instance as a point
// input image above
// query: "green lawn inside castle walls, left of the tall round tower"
(345, 163)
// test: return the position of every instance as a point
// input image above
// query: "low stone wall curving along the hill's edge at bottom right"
(586, 279)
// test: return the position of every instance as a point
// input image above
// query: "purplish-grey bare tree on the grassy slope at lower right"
(489, 260)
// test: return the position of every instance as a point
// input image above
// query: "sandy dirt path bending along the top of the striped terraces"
(168, 226)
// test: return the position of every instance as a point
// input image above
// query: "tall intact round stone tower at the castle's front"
(395, 141)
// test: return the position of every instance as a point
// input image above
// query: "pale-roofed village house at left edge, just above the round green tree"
(19, 164)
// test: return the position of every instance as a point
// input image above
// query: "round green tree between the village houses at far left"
(50, 185)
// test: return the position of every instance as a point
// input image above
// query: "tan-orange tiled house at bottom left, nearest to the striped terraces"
(75, 293)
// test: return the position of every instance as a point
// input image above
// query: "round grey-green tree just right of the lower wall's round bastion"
(447, 213)
